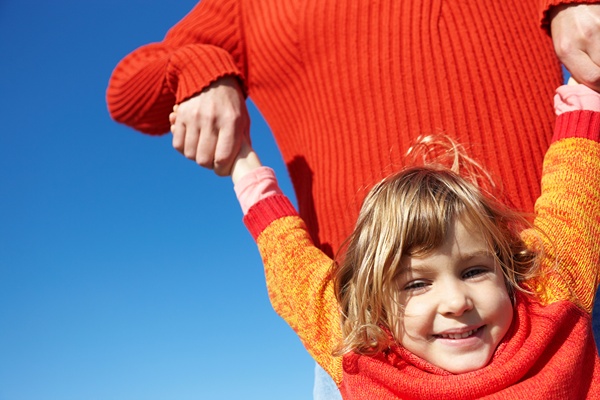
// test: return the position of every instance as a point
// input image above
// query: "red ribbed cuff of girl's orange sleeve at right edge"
(577, 124)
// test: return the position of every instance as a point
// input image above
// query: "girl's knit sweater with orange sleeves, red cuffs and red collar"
(549, 352)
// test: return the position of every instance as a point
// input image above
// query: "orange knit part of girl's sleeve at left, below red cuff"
(300, 289)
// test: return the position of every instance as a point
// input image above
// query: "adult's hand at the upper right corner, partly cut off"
(575, 30)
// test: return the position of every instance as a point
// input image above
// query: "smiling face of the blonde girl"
(453, 305)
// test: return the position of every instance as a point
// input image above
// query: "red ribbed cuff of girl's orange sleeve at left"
(263, 213)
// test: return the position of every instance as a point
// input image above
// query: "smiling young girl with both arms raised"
(442, 293)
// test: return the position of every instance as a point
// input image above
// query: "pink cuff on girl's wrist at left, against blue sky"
(256, 185)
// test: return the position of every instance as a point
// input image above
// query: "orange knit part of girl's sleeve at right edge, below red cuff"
(568, 215)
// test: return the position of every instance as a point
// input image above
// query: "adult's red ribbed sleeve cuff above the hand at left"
(194, 67)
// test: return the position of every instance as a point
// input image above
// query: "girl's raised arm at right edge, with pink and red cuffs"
(568, 211)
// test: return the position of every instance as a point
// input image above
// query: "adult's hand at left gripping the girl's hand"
(209, 128)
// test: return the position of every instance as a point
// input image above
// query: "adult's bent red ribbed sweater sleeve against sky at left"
(205, 45)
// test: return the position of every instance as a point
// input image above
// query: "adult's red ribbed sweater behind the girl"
(347, 85)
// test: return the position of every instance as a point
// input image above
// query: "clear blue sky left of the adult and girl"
(125, 270)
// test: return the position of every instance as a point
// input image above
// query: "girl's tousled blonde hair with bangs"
(409, 214)
